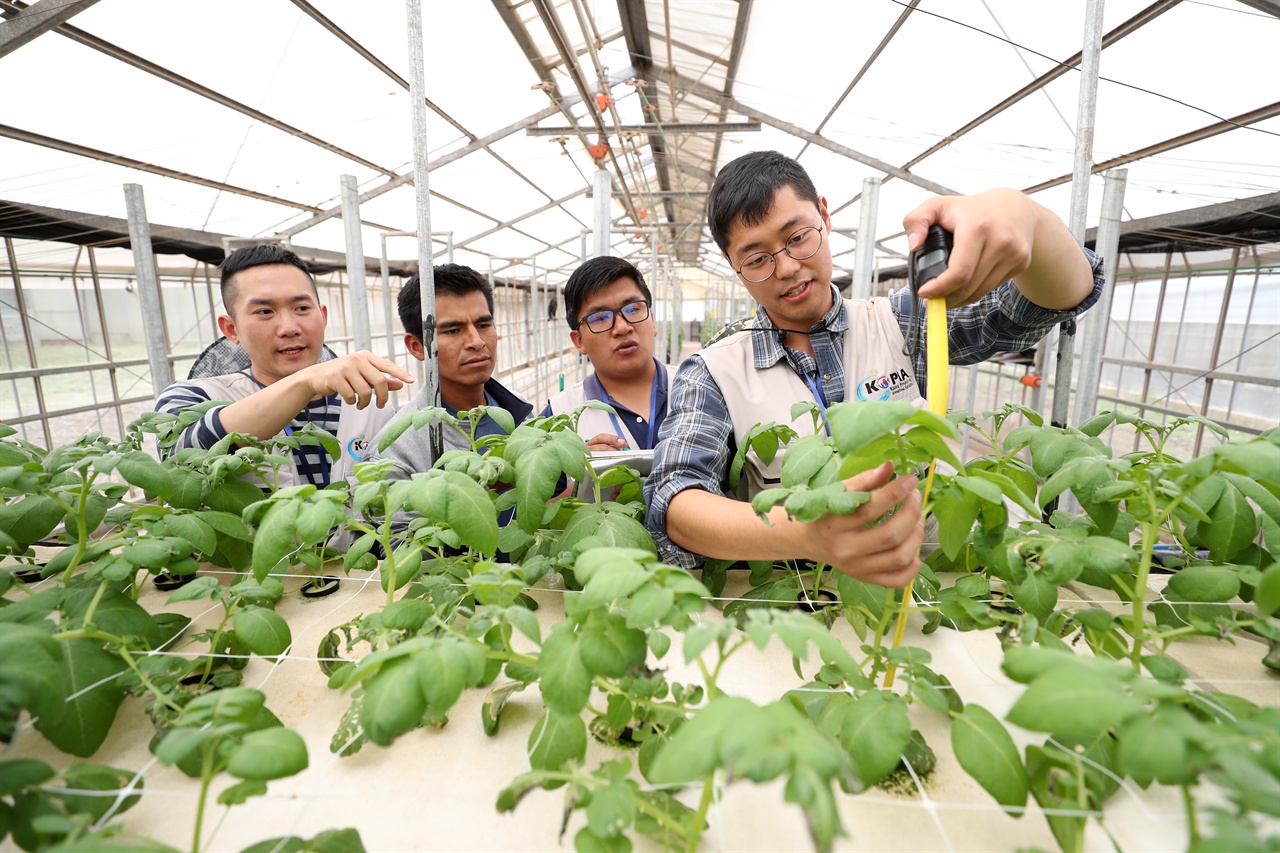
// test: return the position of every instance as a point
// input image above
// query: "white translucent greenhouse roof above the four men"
(246, 127)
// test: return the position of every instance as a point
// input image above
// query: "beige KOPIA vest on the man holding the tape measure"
(875, 366)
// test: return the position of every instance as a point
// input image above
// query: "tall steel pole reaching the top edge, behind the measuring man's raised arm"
(1091, 54)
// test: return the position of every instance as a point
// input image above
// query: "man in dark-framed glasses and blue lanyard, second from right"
(607, 308)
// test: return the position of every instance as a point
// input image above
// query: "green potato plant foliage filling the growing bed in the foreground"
(458, 550)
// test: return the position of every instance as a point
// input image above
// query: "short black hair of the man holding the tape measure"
(746, 189)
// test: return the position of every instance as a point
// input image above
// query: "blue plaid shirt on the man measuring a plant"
(694, 444)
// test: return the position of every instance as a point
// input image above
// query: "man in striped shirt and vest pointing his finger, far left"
(275, 313)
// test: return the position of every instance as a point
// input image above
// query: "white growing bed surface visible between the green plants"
(436, 790)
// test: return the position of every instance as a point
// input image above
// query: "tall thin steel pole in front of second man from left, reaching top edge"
(431, 390)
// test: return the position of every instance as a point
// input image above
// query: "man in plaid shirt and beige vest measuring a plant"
(1016, 272)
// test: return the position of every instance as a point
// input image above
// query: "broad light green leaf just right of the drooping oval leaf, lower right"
(1064, 704)
